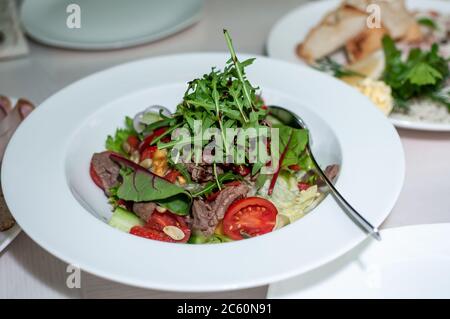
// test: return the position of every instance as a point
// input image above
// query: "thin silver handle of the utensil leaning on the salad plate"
(360, 220)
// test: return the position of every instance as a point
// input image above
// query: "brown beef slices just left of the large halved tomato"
(206, 215)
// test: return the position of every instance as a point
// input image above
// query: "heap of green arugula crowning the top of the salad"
(219, 99)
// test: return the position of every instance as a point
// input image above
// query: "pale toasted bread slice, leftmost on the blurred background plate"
(335, 29)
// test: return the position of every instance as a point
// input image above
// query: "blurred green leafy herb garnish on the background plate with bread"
(422, 74)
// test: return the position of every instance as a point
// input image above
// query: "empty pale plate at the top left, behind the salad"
(108, 24)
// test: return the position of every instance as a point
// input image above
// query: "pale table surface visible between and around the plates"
(28, 271)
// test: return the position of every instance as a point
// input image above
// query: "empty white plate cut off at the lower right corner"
(410, 262)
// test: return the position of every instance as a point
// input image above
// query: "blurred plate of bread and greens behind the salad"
(333, 36)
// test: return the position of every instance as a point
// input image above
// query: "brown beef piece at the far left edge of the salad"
(106, 169)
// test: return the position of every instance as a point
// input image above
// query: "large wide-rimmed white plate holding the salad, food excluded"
(64, 211)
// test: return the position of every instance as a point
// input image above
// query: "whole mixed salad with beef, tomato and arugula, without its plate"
(220, 168)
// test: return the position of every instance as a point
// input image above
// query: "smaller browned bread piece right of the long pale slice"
(364, 44)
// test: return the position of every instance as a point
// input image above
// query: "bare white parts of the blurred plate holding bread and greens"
(292, 29)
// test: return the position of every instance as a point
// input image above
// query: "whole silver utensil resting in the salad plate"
(293, 120)
